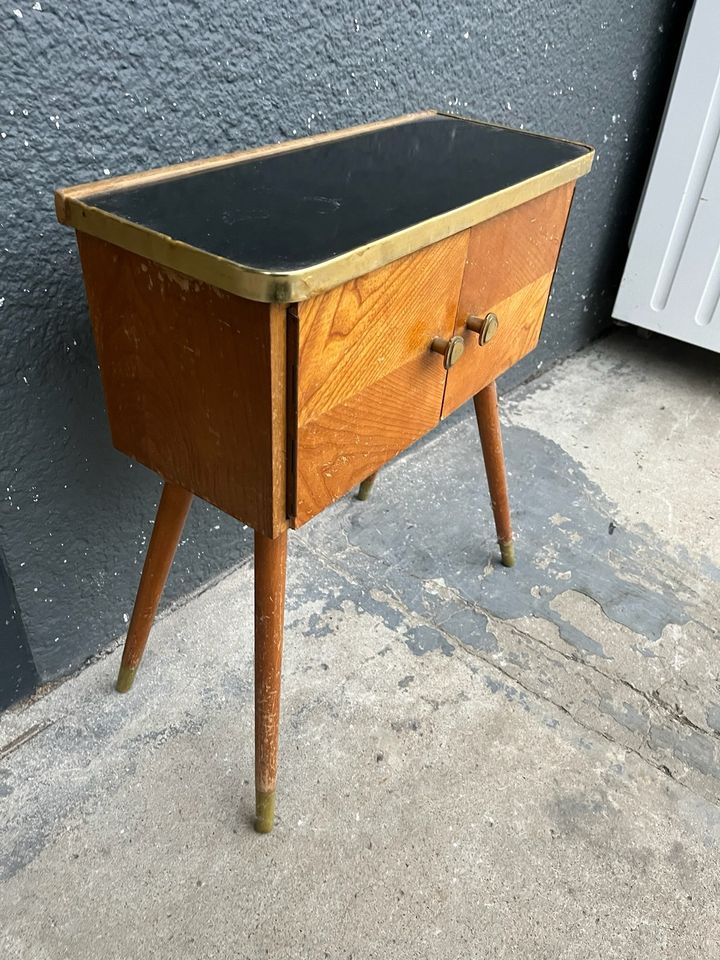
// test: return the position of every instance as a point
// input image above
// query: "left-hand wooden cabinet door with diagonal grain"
(367, 383)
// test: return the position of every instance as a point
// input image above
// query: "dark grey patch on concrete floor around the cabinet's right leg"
(426, 541)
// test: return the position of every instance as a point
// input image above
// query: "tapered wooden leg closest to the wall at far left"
(172, 511)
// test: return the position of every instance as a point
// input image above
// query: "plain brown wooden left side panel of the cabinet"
(194, 381)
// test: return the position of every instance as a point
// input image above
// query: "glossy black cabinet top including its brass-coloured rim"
(285, 222)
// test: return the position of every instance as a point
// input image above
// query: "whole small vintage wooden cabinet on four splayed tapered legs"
(273, 326)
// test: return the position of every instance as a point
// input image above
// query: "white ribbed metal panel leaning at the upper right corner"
(671, 282)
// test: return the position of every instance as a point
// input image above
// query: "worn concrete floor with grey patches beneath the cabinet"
(475, 762)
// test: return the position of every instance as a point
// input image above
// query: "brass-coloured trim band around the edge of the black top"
(297, 285)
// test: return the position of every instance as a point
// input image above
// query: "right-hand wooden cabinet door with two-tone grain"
(510, 266)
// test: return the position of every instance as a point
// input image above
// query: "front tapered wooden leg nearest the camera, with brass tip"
(270, 562)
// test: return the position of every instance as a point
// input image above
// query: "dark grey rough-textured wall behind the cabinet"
(95, 87)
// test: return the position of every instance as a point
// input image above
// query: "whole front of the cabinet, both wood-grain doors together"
(363, 383)
